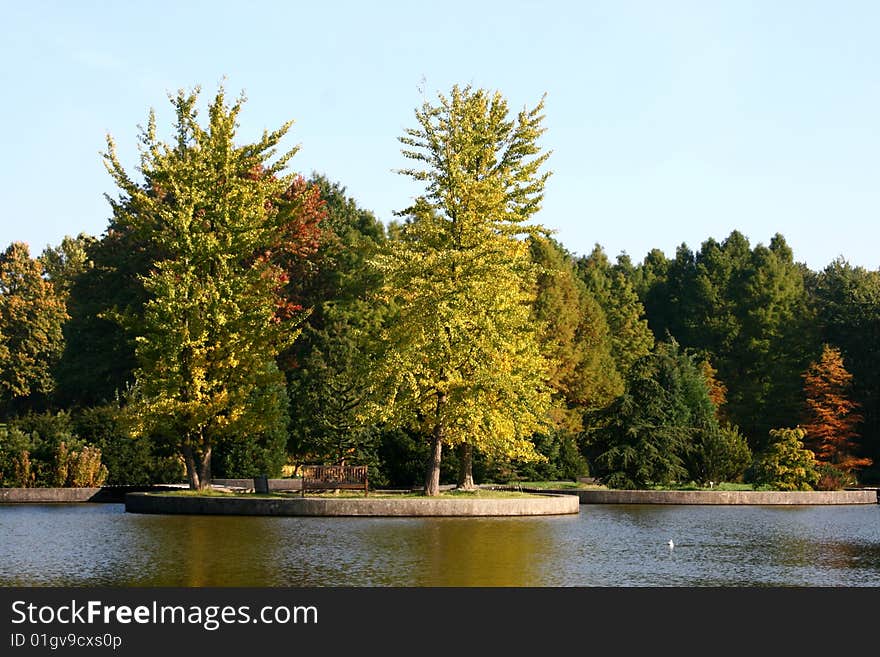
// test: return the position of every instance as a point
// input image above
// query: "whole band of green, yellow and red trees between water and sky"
(234, 319)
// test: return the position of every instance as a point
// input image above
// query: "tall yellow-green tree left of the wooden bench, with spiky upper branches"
(217, 216)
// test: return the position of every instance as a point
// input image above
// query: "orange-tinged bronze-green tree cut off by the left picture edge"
(32, 313)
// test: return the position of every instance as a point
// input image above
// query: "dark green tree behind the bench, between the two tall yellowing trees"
(328, 366)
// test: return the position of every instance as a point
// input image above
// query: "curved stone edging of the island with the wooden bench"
(539, 505)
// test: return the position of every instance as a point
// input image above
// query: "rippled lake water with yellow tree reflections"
(604, 545)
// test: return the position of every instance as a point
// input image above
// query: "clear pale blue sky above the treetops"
(669, 121)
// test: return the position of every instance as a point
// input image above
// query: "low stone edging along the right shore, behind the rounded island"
(867, 496)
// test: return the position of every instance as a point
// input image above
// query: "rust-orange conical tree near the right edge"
(831, 416)
